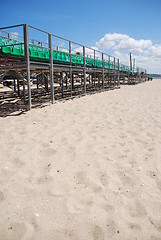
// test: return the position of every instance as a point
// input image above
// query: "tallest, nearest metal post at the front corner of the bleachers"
(26, 46)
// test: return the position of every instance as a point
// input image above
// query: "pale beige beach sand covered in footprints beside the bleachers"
(88, 168)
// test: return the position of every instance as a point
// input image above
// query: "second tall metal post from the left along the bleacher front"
(51, 67)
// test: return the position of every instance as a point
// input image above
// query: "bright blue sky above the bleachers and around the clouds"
(87, 22)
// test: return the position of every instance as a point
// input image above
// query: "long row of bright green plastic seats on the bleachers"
(16, 48)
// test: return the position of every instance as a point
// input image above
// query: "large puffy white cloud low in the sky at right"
(147, 54)
